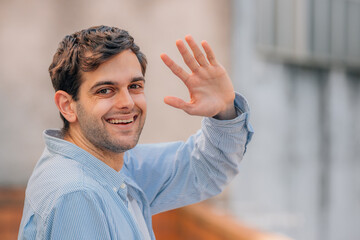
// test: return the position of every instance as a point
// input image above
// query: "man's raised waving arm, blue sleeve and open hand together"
(181, 173)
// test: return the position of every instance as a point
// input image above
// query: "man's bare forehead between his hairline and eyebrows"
(122, 67)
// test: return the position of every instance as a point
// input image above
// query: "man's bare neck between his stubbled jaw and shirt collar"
(112, 159)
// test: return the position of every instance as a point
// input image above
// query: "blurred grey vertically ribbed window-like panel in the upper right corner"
(316, 32)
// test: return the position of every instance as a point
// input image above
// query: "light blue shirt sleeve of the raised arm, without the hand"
(181, 173)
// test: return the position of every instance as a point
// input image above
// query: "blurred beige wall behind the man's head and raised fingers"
(30, 32)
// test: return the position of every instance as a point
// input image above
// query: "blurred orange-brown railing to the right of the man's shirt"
(203, 222)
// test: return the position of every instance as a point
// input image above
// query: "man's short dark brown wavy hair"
(84, 51)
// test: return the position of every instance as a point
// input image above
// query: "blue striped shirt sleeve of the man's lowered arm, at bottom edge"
(77, 215)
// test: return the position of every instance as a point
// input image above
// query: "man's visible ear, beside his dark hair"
(66, 106)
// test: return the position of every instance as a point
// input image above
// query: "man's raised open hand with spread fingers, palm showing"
(210, 88)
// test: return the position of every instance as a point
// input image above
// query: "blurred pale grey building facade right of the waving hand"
(298, 62)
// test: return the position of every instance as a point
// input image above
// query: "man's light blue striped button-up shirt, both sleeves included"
(73, 195)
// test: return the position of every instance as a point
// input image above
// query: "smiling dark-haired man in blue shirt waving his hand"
(93, 181)
